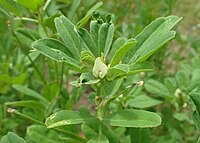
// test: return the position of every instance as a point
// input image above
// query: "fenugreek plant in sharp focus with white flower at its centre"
(90, 53)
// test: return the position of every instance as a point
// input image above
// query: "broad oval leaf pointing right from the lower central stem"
(133, 118)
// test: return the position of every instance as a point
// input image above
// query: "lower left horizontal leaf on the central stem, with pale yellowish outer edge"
(67, 117)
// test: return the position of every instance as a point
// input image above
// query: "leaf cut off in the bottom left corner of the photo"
(12, 138)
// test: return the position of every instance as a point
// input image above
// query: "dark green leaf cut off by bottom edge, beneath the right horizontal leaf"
(140, 135)
